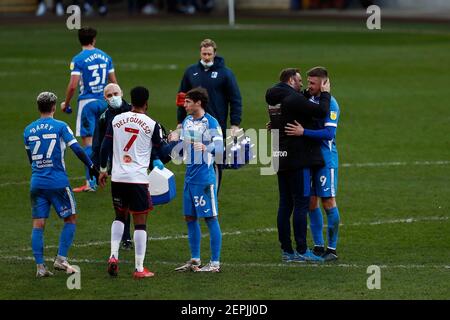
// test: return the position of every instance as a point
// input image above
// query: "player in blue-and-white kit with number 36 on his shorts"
(202, 140)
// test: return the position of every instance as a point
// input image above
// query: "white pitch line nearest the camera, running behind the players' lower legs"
(238, 232)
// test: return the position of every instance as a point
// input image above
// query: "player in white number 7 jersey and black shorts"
(131, 138)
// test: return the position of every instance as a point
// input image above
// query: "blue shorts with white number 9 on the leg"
(324, 182)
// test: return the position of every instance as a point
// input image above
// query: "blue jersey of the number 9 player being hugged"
(328, 147)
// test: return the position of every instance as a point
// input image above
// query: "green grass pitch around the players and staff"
(391, 86)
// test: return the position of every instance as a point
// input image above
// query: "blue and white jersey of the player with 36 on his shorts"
(200, 169)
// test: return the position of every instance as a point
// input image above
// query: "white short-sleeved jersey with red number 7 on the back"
(134, 135)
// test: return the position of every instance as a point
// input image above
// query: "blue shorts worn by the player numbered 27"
(62, 200)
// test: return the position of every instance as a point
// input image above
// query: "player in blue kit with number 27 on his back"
(45, 142)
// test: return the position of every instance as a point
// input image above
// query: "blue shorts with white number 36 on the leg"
(200, 200)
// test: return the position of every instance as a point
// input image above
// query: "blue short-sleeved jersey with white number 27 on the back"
(47, 139)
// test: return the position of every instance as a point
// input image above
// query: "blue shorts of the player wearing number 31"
(89, 110)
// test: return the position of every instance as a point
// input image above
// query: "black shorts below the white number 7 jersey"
(132, 197)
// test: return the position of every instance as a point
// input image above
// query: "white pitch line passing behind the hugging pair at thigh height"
(344, 165)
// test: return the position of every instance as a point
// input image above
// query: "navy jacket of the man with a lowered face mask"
(222, 88)
